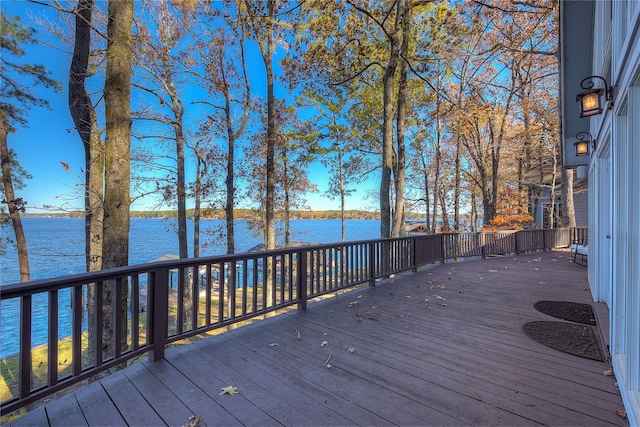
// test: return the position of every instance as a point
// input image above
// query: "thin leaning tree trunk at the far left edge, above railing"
(14, 205)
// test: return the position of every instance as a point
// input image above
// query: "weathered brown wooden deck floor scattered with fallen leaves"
(394, 359)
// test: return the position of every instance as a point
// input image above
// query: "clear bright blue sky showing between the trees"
(50, 140)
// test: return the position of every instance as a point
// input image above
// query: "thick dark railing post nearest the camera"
(157, 318)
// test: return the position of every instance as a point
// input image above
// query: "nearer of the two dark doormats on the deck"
(571, 338)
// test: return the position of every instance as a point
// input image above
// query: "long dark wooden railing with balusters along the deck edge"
(113, 316)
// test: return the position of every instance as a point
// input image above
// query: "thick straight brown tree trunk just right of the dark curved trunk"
(117, 93)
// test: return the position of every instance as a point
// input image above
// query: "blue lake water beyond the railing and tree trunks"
(56, 248)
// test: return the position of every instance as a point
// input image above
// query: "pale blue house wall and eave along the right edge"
(614, 177)
